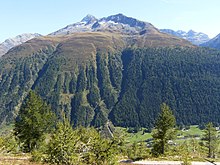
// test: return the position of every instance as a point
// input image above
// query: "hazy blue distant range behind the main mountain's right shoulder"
(196, 38)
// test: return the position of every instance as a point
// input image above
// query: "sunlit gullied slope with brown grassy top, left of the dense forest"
(70, 61)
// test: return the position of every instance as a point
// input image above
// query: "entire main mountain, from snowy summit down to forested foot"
(121, 72)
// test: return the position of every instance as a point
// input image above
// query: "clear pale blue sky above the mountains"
(46, 16)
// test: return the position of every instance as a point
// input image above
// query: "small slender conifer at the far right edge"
(211, 139)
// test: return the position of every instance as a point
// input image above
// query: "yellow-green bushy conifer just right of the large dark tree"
(62, 148)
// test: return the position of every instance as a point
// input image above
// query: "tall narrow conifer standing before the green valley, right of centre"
(164, 129)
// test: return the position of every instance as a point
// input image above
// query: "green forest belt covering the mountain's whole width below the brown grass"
(126, 87)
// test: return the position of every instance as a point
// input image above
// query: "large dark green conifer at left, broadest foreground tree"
(34, 119)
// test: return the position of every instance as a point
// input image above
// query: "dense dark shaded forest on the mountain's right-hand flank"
(187, 79)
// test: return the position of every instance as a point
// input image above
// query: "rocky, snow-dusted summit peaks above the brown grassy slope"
(115, 23)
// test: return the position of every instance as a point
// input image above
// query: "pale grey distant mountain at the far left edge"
(12, 42)
